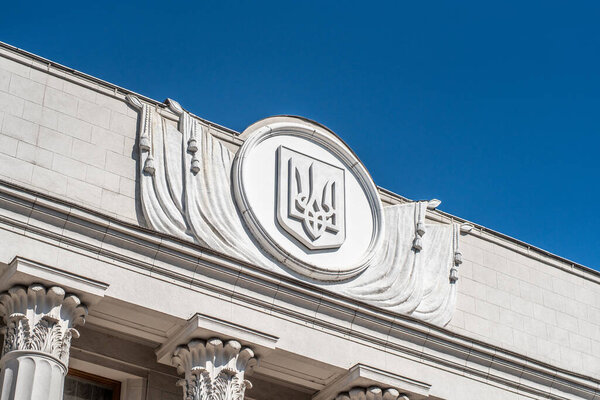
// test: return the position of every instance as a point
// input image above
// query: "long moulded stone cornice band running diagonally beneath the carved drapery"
(219, 275)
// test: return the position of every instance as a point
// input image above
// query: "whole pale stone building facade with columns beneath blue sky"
(146, 253)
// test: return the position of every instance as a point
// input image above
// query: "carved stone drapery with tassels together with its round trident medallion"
(295, 200)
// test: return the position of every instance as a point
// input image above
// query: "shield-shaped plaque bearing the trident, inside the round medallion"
(310, 200)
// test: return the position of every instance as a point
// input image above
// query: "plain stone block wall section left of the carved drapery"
(66, 137)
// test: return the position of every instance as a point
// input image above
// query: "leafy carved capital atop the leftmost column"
(41, 319)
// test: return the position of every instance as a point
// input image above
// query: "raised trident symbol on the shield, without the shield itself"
(317, 210)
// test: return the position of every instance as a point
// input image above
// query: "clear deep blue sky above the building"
(492, 108)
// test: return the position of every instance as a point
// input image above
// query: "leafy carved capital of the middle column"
(213, 369)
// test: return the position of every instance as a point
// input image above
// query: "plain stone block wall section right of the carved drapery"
(529, 304)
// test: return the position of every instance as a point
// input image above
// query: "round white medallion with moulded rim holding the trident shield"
(307, 199)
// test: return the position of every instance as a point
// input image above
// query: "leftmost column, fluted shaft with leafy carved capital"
(37, 339)
